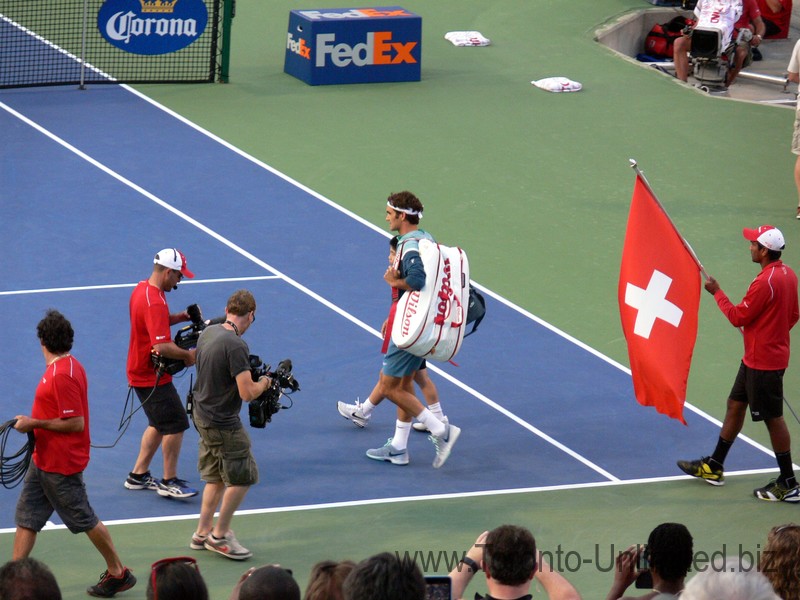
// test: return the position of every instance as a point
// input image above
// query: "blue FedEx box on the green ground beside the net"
(354, 45)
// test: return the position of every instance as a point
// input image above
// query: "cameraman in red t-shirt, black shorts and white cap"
(166, 417)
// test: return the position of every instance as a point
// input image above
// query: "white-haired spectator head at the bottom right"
(731, 581)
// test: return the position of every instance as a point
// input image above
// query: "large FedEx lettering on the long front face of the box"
(377, 50)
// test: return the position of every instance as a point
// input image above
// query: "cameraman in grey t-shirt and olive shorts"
(225, 459)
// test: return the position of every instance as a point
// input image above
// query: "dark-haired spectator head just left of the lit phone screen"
(385, 577)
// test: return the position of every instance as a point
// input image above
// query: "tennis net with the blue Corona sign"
(62, 42)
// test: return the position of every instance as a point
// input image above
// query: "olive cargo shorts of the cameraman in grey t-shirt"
(224, 455)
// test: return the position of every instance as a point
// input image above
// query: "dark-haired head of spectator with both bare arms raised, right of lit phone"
(509, 556)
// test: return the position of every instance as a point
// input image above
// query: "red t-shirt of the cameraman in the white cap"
(149, 314)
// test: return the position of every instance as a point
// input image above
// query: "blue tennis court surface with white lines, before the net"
(102, 179)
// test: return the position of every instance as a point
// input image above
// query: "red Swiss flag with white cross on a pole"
(659, 298)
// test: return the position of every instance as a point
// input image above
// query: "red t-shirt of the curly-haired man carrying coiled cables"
(62, 393)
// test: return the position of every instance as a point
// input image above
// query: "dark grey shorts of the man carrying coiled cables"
(43, 493)
